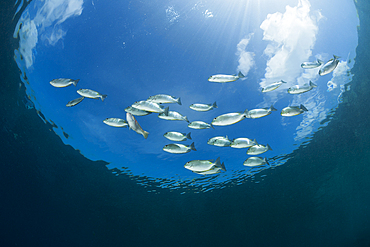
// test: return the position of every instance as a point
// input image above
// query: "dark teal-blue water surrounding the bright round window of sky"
(53, 196)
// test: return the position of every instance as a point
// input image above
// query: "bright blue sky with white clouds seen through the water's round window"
(131, 51)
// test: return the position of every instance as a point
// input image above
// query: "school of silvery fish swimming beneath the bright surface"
(203, 167)
